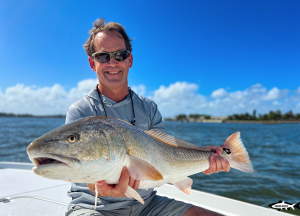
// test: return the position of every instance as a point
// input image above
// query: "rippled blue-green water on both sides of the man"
(274, 151)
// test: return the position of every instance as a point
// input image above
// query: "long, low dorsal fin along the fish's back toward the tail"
(173, 141)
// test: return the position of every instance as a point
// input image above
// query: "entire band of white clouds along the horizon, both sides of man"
(177, 98)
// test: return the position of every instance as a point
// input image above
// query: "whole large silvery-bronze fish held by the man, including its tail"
(97, 148)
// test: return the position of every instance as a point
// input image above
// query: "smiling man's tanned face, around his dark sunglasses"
(114, 73)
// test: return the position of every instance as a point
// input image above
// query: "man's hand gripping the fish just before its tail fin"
(217, 163)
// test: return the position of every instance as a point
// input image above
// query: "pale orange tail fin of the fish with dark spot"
(239, 158)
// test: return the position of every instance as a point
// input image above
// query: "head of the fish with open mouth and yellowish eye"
(73, 151)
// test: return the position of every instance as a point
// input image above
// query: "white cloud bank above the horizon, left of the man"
(43, 100)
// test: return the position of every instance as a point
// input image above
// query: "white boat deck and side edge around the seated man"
(28, 194)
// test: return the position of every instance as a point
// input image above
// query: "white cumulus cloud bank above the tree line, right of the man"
(183, 97)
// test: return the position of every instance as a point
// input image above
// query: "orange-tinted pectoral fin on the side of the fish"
(141, 170)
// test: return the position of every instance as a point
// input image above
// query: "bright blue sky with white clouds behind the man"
(203, 46)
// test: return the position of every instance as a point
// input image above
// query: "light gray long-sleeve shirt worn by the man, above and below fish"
(147, 117)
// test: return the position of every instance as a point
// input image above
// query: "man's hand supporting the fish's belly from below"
(116, 190)
